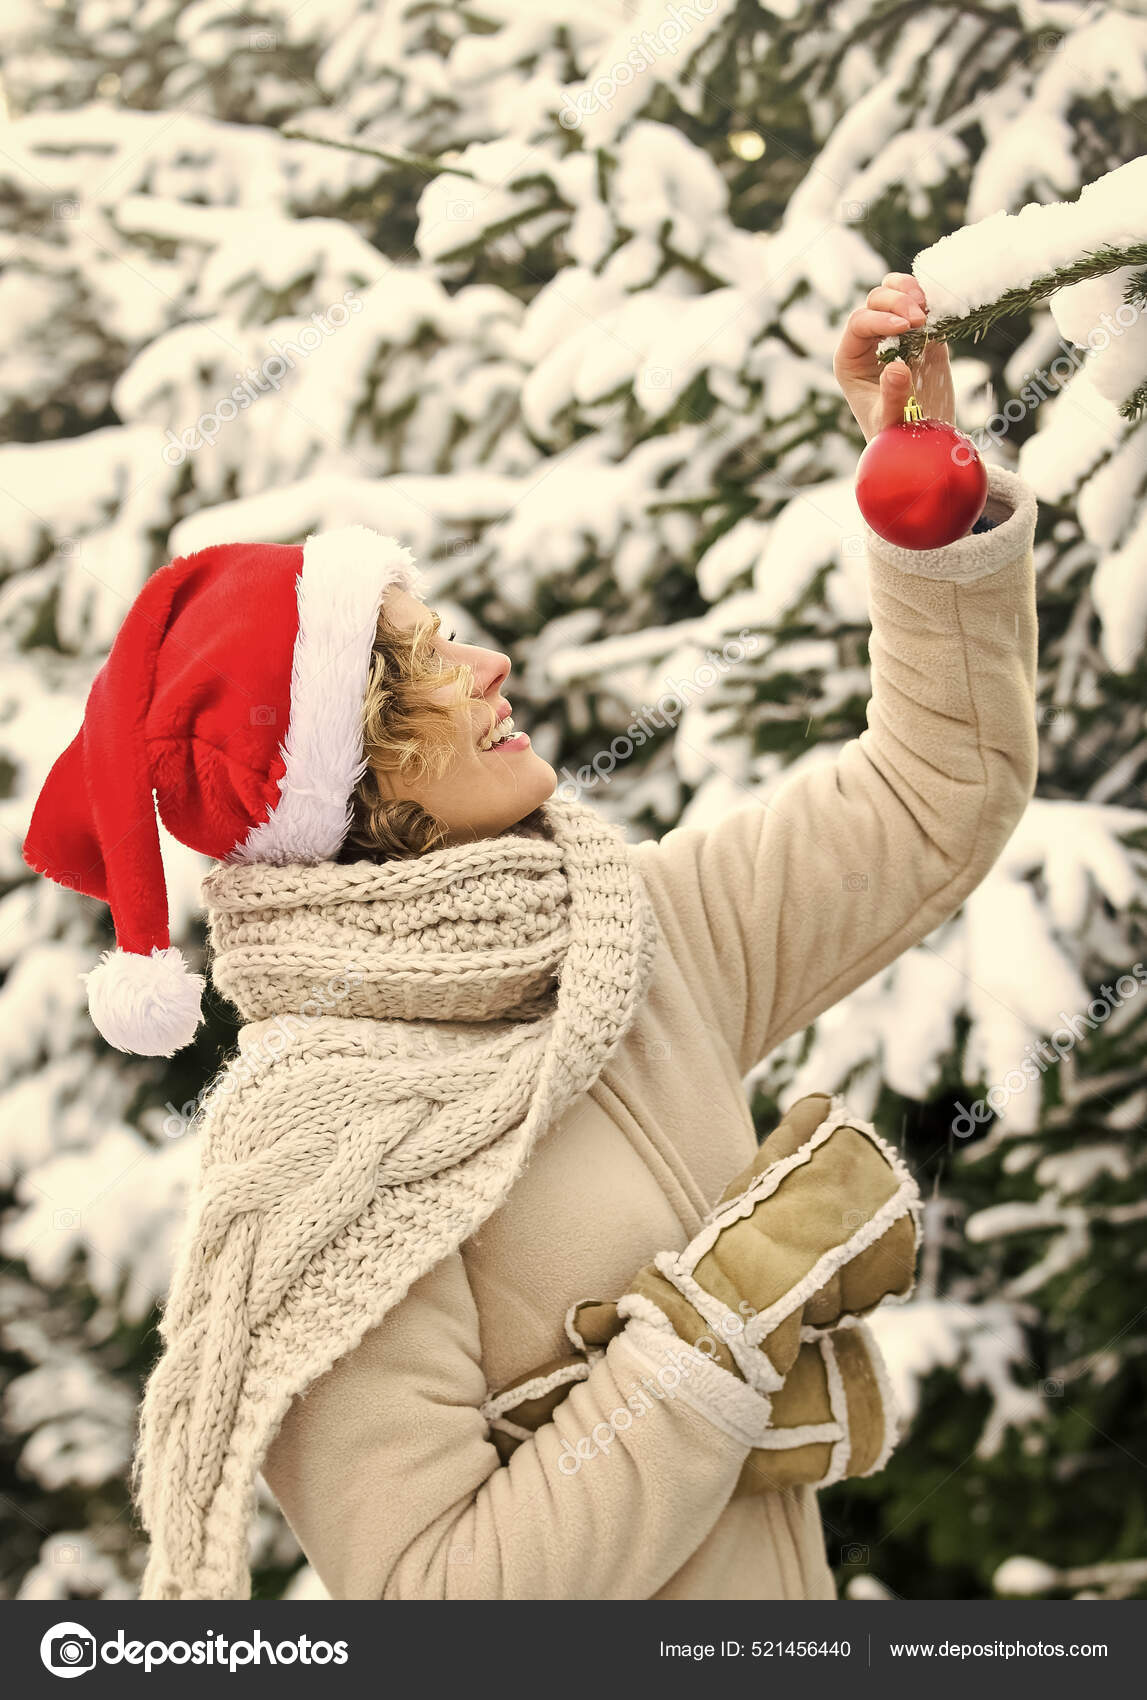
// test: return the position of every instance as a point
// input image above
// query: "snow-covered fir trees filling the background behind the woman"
(558, 285)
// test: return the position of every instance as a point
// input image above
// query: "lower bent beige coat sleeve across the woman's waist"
(395, 1492)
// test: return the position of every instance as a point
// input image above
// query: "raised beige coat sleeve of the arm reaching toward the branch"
(788, 905)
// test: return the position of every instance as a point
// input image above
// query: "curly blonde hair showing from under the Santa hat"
(407, 737)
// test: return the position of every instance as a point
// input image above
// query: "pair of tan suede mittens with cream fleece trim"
(810, 1238)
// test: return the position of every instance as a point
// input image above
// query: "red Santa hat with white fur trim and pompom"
(232, 701)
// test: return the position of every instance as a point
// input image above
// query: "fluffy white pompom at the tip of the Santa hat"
(147, 1006)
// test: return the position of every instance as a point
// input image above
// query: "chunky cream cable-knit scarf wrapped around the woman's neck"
(412, 1029)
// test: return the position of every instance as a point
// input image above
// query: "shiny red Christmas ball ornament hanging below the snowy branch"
(922, 484)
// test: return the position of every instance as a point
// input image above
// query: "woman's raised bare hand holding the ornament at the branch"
(878, 395)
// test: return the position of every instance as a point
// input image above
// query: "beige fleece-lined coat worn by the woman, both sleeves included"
(385, 1466)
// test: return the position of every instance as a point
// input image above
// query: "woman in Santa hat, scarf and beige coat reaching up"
(483, 1167)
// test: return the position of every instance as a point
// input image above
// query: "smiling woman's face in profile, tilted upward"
(485, 791)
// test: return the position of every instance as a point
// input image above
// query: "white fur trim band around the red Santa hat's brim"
(341, 592)
